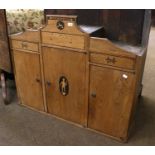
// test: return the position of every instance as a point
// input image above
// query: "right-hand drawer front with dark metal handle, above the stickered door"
(112, 61)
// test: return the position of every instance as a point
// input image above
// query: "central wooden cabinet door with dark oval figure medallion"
(65, 80)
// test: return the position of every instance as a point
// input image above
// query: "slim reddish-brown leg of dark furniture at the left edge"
(4, 88)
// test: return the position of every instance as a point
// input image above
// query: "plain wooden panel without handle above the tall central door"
(73, 41)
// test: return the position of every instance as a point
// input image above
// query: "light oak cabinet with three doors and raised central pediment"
(72, 73)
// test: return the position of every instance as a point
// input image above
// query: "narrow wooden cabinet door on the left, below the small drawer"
(28, 79)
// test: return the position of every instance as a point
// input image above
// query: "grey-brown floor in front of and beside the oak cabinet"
(22, 126)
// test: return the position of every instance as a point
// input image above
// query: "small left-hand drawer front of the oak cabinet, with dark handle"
(24, 45)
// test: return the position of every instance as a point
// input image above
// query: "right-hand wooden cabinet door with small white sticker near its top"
(110, 100)
